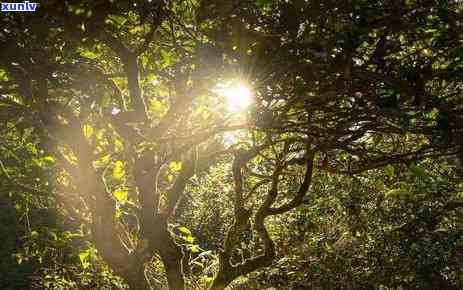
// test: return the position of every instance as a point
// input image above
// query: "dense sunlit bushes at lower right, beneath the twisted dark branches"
(361, 237)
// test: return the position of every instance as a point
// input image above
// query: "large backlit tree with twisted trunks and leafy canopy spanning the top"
(119, 95)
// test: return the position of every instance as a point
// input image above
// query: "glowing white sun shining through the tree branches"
(238, 95)
